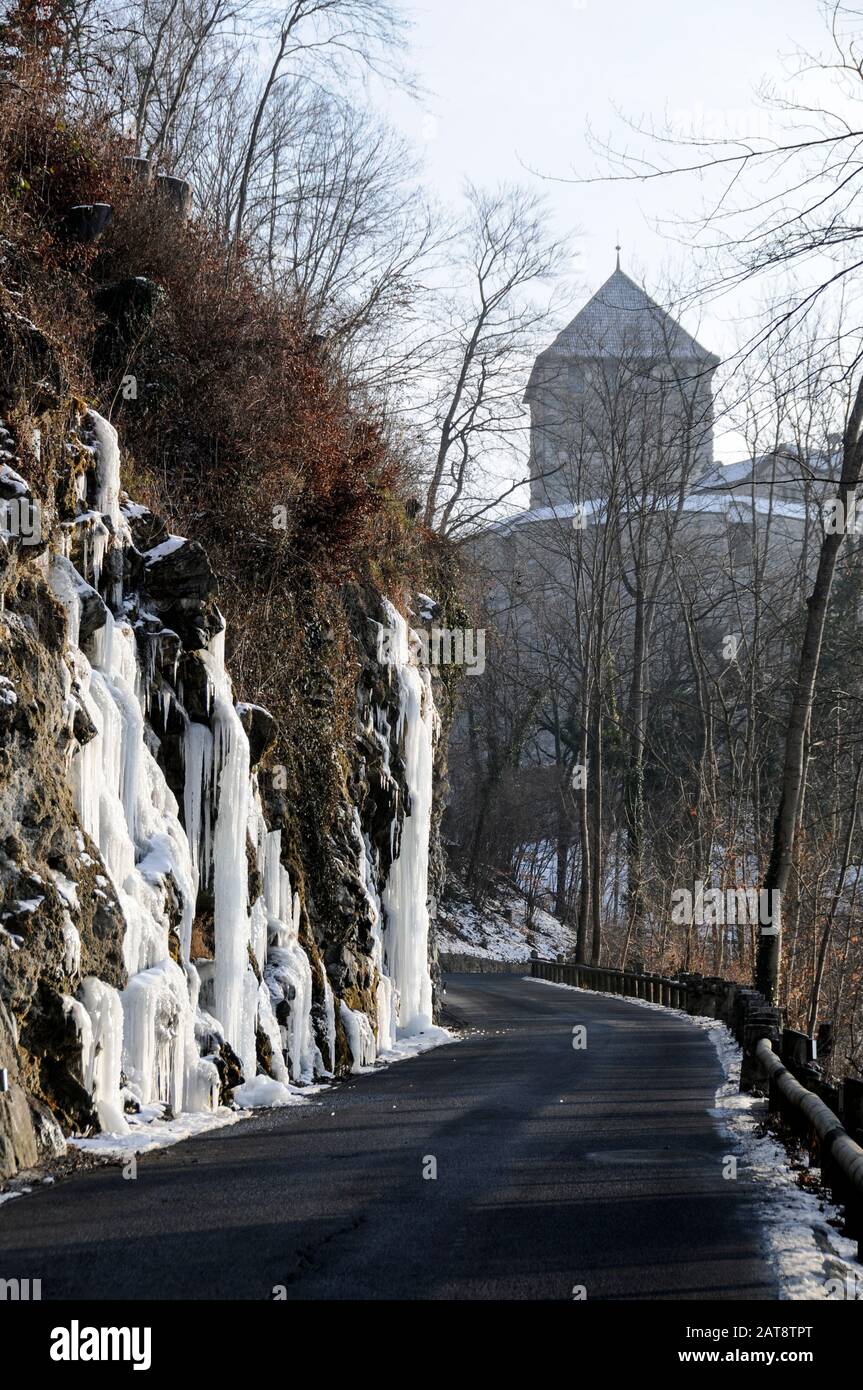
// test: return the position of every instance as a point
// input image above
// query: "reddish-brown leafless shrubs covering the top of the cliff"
(238, 418)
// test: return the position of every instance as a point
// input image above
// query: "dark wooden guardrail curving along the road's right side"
(823, 1115)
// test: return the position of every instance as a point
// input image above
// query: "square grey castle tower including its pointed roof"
(622, 398)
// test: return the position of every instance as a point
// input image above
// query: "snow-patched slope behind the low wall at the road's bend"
(500, 931)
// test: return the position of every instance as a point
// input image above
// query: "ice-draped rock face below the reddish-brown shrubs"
(162, 940)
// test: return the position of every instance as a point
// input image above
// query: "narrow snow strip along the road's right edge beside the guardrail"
(812, 1259)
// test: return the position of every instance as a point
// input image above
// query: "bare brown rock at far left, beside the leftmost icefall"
(48, 867)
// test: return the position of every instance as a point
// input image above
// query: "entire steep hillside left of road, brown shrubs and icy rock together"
(223, 753)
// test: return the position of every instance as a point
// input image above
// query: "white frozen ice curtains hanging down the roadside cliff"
(151, 1052)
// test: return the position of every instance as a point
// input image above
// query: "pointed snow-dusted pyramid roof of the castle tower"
(623, 320)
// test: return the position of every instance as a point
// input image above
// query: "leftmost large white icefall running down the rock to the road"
(130, 812)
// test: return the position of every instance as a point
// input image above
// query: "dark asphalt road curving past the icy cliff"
(555, 1168)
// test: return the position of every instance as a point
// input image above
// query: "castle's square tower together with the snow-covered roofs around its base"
(622, 415)
